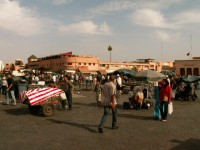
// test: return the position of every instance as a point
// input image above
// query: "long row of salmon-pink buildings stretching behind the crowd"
(68, 61)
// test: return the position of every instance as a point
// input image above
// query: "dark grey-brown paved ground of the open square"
(77, 129)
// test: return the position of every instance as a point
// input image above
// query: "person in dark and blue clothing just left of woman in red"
(157, 90)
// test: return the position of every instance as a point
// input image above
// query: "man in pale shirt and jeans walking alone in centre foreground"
(109, 93)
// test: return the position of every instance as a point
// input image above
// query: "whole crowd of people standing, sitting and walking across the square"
(108, 89)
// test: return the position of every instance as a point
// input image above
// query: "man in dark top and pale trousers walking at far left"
(10, 90)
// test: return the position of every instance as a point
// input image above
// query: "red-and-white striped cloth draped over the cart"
(38, 95)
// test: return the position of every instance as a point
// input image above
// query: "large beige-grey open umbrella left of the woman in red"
(148, 75)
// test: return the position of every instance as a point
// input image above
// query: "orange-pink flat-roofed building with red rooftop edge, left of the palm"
(64, 61)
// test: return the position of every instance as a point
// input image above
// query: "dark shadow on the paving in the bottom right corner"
(188, 144)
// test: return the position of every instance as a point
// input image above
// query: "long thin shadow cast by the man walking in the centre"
(84, 126)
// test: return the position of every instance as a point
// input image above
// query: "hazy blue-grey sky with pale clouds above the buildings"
(164, 30)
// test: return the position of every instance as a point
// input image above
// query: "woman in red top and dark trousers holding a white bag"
(165, 98)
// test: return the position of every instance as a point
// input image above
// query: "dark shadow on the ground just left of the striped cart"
(17, 111)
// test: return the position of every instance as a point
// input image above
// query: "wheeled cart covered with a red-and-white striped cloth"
(43, 99)
